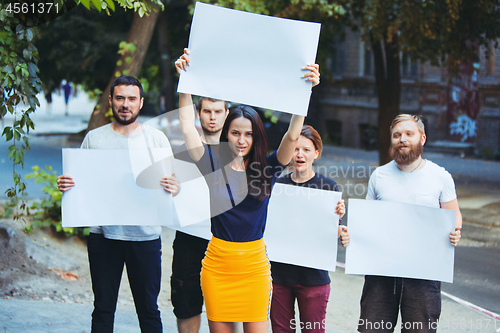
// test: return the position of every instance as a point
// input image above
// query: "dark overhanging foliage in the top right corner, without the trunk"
(428, 30)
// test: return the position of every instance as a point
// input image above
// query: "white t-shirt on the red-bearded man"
(427, 186)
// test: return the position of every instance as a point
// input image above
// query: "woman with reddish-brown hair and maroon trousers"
(311, 287)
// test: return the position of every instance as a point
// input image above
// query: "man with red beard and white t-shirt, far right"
(409, 179)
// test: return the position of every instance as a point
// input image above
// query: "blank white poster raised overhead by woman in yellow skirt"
(249, 58)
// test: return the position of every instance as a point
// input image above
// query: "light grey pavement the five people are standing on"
(40, 316)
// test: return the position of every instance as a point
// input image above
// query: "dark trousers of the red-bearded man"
(419, 300)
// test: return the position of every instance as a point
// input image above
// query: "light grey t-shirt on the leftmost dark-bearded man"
(106, 138)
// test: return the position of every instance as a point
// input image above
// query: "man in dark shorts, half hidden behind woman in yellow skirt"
(186, 295)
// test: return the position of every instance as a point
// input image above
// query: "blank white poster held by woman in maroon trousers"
(302, 226)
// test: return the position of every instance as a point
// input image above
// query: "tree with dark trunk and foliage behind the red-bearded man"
(444, 32)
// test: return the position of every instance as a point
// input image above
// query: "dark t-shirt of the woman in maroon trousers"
(292, 274)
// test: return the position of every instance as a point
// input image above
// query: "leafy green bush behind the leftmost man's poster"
(47, 213)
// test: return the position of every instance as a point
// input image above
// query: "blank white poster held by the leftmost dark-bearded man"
(116, 187)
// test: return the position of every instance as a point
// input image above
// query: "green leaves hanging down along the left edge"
(19, 85)
